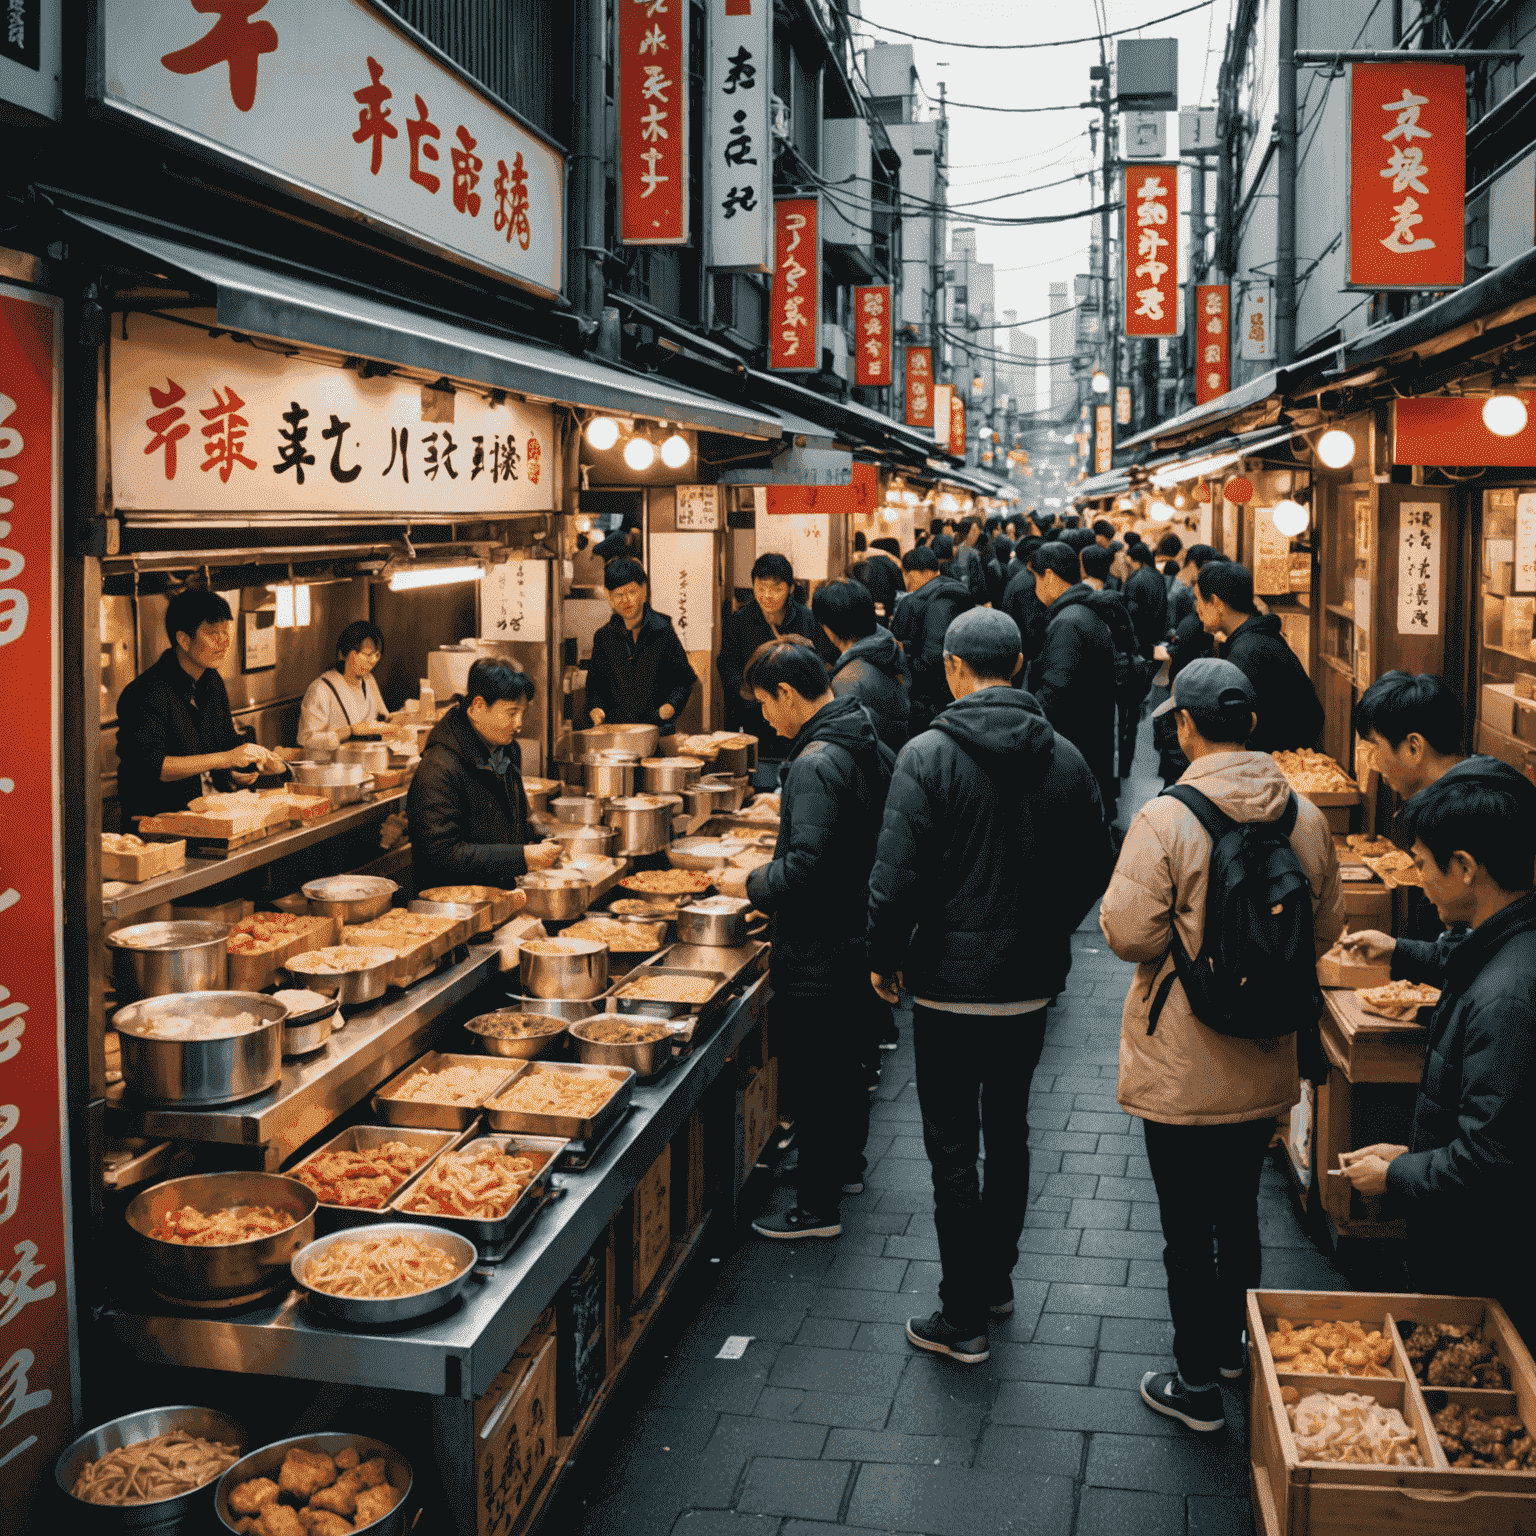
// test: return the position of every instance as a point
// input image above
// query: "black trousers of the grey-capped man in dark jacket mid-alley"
(973, 1082)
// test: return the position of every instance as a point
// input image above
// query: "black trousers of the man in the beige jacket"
(1208, 1196)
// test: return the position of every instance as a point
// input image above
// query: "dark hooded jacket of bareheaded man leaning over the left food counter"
(835, 784)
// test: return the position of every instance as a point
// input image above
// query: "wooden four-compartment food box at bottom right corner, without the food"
(1314, 1498)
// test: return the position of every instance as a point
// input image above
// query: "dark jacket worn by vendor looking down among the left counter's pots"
(468, 809)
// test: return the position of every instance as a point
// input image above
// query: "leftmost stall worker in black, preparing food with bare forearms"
(174, 727)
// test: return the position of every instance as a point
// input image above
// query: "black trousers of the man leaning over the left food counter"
(823, 1044)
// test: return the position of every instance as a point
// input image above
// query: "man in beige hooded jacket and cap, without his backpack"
(1208, 1102)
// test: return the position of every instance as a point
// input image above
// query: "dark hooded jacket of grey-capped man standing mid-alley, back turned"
(991, 853)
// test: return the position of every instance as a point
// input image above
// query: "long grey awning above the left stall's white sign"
(263, 302)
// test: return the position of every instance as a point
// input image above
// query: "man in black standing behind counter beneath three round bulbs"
(640, 674)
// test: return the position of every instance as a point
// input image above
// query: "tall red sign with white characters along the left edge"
(38, 1337)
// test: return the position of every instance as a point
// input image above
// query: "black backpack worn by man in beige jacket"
(1257, 973)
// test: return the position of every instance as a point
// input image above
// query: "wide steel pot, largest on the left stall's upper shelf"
(202, 1073)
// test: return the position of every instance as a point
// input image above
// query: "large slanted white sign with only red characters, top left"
(337, 101)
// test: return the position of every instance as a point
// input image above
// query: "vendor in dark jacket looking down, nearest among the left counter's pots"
(468, 809)
